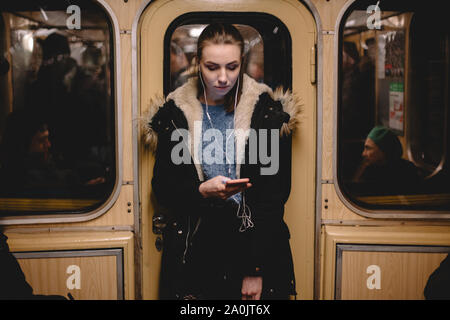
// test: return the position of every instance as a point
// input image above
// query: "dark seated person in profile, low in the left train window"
(27, 166)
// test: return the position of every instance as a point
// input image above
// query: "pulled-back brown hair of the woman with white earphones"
(220, 33)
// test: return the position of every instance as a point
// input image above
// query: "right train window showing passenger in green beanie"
(393, 106)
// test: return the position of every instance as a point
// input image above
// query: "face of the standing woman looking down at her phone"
(220, 66)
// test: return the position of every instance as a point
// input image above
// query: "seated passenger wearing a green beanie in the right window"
(383, 171)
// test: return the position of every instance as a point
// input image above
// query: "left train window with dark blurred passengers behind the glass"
(57, 119)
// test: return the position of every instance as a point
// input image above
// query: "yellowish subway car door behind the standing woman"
(281, 37)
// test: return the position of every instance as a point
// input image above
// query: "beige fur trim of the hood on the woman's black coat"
(185, 98)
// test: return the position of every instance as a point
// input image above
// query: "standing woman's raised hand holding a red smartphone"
(218, 188)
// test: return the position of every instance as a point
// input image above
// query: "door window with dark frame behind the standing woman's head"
(267, 47)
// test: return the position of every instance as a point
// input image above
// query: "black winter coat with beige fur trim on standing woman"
(204, 254)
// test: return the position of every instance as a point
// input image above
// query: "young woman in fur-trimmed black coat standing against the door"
(225, 236)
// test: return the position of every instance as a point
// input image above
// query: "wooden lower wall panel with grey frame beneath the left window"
(85, 275)
